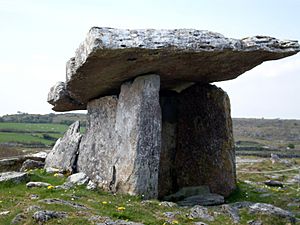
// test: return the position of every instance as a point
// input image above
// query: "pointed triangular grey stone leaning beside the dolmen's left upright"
(63, 156)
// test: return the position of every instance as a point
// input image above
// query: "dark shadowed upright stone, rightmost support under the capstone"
(205, 147)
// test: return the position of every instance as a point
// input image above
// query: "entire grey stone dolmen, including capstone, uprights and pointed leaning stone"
(156, 124)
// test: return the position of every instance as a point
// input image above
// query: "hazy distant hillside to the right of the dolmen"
(265, 136)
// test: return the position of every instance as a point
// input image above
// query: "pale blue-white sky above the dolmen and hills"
(39, 36)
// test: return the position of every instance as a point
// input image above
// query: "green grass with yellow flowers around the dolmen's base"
(16, 198)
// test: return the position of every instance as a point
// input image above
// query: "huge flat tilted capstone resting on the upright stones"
(108, 57)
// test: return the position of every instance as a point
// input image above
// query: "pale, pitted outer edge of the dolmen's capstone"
(186, 40)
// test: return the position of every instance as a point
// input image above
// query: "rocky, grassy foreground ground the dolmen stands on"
(268, 193)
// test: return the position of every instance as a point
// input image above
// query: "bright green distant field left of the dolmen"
(31, 133)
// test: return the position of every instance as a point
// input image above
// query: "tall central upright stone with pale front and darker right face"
(138, 125)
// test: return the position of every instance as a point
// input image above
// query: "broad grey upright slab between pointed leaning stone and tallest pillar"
(98, 145)
